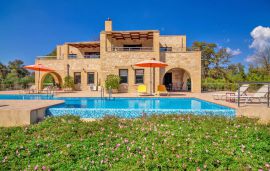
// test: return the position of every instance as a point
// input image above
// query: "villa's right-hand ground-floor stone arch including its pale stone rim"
(181, 79)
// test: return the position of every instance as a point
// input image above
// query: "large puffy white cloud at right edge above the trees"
(260, 43)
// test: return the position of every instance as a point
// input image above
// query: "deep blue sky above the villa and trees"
(30, 28)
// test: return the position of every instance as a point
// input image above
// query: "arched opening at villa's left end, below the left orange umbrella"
(51, 79)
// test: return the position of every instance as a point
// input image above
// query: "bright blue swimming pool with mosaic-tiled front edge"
(128, 107)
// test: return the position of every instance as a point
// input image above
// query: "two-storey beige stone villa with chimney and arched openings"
(116, 53)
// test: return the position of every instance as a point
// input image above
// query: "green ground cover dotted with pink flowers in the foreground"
(176, 142)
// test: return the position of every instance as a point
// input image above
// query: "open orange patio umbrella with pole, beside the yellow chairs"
(151, 64)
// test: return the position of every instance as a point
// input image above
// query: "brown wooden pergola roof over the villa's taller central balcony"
(122, 35)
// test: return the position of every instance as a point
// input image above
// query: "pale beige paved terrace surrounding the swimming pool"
(250, 110)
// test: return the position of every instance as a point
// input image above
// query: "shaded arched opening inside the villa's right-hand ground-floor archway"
(177, 79)
